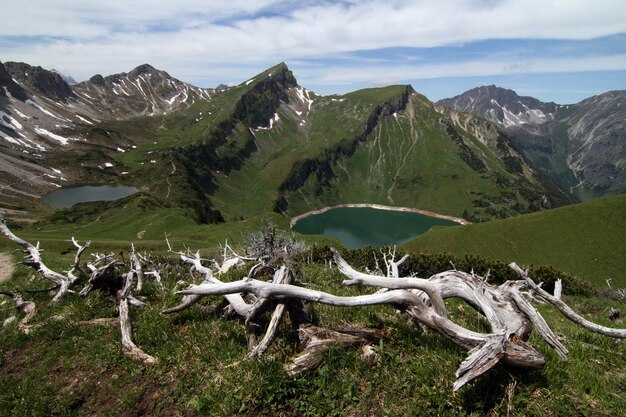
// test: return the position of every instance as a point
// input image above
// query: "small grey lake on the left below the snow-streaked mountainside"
(68, 196)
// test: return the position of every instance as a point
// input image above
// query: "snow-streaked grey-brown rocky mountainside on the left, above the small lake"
(44, 120)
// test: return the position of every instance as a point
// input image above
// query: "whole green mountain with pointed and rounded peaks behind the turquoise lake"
(269, 145)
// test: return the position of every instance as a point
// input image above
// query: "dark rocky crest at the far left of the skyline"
(40, 81)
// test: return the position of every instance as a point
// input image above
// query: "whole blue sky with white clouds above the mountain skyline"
(555, 50)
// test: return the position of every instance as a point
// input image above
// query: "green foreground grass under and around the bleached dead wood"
(72, 369)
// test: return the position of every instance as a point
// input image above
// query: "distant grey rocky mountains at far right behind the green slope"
(582, 146)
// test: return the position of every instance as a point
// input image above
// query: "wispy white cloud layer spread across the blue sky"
(195, 39)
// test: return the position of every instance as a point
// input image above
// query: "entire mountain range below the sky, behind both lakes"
(270, 145)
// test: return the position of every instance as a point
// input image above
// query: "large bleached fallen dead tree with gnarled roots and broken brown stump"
(506, 307)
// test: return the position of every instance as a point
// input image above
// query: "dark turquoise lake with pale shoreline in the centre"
(357, 227)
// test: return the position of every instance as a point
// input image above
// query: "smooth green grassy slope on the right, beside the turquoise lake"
(586, 240)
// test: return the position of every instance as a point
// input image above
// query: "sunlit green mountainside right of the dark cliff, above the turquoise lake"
(388, 146)
